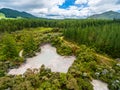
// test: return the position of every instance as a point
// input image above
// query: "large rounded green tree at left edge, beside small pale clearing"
(9, 49)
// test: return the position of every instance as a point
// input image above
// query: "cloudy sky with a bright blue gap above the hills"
(62, 8)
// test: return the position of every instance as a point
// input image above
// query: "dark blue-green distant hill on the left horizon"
(9, 13)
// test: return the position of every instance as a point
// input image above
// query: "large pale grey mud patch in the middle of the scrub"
(49, 58)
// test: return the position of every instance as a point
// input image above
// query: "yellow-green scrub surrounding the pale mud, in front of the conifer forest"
(88, 63)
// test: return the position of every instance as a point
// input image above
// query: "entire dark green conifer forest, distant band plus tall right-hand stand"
(102, 35)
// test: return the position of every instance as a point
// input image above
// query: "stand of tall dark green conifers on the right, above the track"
(104, 38)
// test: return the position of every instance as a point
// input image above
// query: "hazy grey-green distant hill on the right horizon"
(106, 15)
